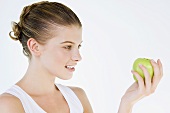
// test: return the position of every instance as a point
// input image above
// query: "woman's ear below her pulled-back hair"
(33, 46)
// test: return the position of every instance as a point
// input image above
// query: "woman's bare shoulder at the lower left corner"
(9, 103)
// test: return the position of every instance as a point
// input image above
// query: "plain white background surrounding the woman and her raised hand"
(115, 33)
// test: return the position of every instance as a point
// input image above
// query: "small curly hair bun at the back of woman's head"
(15, 33)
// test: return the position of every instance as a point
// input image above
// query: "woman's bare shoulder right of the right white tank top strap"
(83, 99)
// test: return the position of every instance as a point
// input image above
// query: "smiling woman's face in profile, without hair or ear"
(61, 54)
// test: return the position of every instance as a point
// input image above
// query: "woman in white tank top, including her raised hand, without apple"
(51, 35)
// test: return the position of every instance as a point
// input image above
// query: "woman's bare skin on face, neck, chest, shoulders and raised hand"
(48, 62)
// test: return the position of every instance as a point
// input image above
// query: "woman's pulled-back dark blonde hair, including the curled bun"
(37, 19)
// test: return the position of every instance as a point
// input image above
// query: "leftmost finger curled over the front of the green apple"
(139, 80)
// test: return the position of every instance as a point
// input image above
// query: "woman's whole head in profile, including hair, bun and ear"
(51, 35)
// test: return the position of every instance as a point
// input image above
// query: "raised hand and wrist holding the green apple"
(142, 88)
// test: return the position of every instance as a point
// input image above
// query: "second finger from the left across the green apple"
(147, 77)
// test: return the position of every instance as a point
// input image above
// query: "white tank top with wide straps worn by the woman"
(30, 106)
